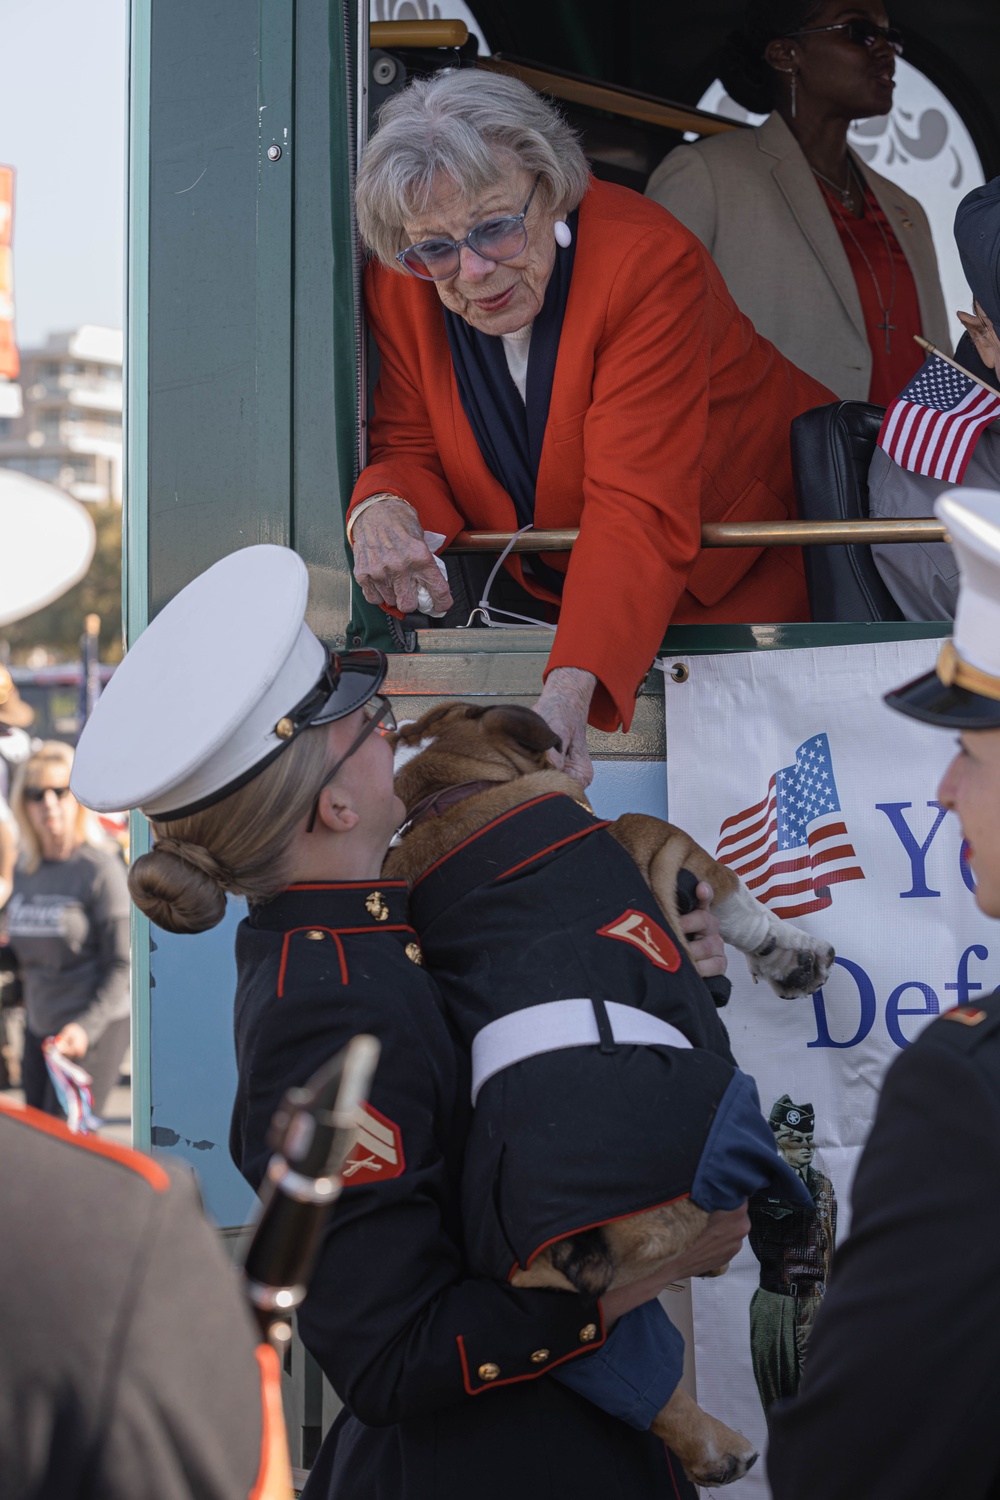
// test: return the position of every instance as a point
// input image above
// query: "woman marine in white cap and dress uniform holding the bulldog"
(277, 787)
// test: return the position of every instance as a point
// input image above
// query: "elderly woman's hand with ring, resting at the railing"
(392, 559)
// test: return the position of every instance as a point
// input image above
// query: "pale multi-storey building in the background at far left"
(70, 428)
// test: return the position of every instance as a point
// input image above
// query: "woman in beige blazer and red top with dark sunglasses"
(828, 260)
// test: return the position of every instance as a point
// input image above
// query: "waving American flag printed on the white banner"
(794, 845)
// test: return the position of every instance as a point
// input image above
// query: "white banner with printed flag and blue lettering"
(788, 766)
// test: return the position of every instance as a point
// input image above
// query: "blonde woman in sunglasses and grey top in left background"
(68, 925)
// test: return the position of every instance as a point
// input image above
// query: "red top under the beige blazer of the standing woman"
(890, 371)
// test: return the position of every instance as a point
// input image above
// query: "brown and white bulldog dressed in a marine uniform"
(609, 1117)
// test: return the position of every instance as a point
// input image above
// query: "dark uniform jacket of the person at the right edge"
(902, 1387)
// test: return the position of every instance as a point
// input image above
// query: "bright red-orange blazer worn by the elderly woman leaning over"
(668, 410)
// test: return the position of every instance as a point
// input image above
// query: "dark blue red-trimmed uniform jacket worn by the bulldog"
(545, 905)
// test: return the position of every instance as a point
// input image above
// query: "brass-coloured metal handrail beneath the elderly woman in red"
(731, 535)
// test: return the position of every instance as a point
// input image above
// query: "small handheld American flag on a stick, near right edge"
(932, 427)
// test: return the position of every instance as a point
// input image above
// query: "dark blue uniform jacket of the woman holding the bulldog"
(443, 1375)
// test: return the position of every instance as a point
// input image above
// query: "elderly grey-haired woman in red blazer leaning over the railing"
(561, 353)
